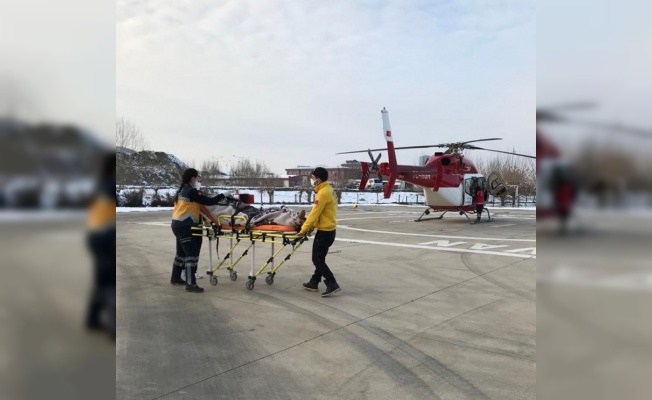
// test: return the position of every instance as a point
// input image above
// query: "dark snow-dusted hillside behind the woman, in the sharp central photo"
(148, 168)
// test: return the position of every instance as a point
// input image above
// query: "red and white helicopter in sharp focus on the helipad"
(448, 178)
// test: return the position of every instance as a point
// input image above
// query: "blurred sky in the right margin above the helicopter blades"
(596, 51)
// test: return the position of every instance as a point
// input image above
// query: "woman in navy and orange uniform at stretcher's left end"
(187, 203)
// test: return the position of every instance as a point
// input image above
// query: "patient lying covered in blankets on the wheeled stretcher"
(237, 214)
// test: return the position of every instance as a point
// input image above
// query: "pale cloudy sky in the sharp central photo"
(294, 82)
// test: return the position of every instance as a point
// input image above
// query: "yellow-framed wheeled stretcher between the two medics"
(235, 229)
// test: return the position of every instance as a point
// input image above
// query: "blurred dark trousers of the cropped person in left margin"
(102, 300)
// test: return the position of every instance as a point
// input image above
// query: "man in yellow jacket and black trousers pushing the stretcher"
(322, 216)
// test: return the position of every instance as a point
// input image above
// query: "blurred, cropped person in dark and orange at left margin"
(101, 243)
